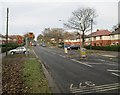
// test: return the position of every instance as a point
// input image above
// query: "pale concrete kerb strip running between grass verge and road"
(51, 82)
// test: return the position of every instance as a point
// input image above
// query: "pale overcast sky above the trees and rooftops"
(36, 15)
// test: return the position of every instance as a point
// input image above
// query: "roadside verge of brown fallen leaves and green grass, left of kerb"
(23, 74)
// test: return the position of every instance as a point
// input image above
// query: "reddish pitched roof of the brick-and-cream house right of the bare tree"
(100, 33)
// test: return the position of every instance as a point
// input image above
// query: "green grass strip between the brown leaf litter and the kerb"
(34, 77)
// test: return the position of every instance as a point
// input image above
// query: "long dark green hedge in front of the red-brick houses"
(105, 48)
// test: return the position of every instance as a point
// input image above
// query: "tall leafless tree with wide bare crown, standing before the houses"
(82, 20)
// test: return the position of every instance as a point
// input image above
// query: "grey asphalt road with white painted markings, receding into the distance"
(69, 73)
